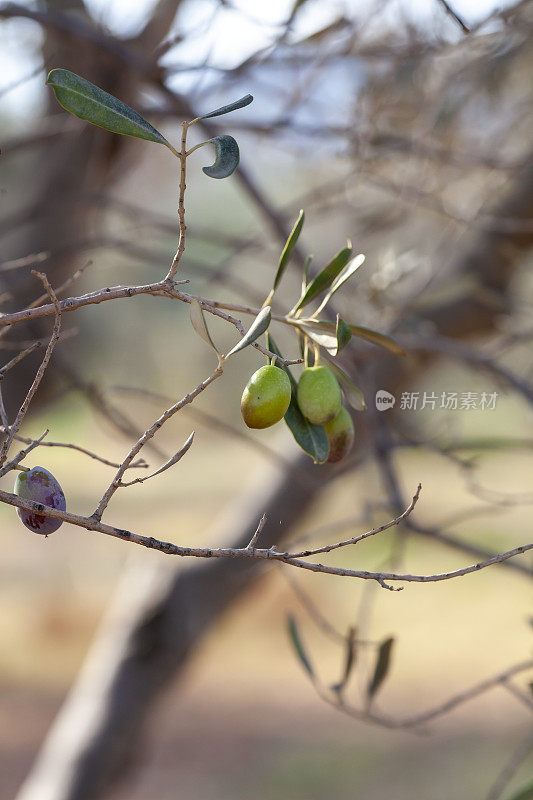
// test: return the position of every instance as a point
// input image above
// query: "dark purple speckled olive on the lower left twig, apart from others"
(40, 486)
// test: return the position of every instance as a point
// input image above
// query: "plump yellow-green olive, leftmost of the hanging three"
(266, 397)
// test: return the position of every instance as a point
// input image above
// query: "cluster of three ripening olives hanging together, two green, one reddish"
(267, 396)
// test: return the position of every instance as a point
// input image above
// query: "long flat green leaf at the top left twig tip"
(89, 102)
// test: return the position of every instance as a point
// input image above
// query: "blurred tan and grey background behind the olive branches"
(389, 127)
